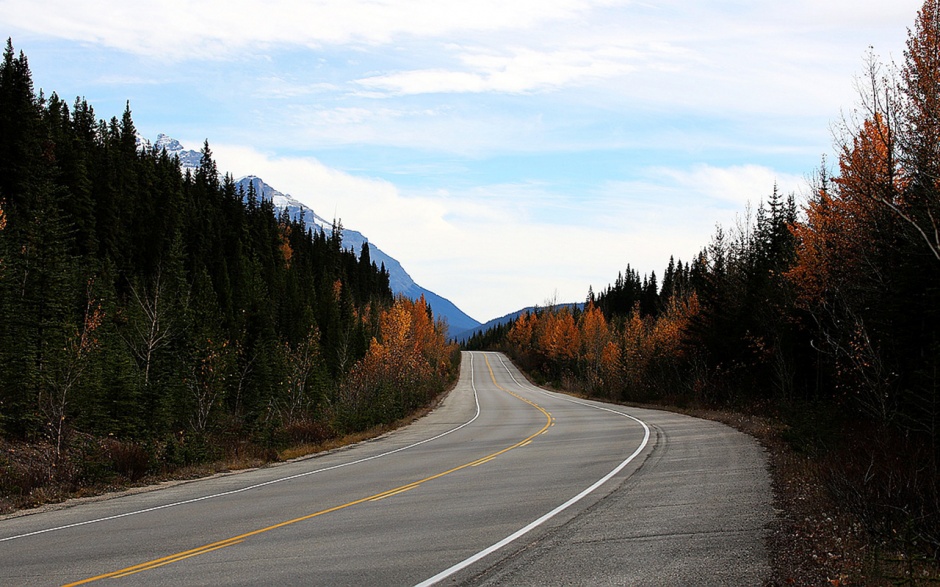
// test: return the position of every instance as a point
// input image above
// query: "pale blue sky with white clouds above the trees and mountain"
(508, 153)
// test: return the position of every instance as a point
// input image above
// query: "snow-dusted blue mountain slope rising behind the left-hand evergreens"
(399, 280)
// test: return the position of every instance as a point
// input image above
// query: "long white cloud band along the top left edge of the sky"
(180, 30)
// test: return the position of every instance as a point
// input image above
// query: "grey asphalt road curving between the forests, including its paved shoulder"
(503, 484)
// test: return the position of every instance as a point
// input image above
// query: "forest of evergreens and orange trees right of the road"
(824, 315)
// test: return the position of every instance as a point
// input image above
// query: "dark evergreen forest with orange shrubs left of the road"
(152, 319)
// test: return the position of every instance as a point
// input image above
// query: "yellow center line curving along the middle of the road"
(401, 489)
